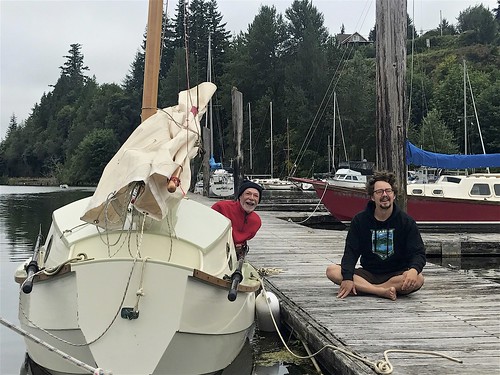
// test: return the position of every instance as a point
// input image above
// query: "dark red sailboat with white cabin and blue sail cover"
(456, 202)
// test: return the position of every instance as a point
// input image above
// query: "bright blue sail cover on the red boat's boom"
(417, 156)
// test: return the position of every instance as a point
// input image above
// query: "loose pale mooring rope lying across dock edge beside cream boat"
(383, 367)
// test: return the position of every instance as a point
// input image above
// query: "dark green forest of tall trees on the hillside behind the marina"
(312, 78)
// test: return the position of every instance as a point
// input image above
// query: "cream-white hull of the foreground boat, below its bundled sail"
(185, 323)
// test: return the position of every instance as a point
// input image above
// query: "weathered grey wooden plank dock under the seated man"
(454, 313)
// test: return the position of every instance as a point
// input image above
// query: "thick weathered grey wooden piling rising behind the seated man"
(392, 113)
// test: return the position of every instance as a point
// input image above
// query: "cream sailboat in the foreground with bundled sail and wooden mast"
(139, 279)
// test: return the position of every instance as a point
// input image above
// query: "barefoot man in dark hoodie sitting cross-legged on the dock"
(388, 244)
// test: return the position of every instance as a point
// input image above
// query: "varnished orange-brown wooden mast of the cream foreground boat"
(152, 59)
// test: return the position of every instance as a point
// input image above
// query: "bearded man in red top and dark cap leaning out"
(244, 220)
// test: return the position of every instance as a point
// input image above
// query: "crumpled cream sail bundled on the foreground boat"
(160, 147)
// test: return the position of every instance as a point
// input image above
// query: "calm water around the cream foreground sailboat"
(23, 211)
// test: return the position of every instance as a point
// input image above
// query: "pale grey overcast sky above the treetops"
(36, 34)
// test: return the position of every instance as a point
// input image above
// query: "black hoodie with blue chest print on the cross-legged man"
(384, 246)
